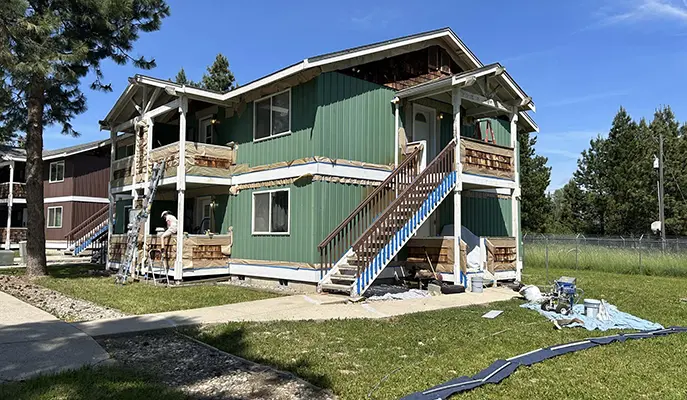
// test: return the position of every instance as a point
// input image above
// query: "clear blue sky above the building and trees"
(579, 60)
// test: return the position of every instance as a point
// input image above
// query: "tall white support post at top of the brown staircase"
(457, 223)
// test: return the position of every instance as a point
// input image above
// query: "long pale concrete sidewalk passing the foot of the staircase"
(291, 308)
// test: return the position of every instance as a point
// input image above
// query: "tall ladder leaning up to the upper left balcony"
(135, 227)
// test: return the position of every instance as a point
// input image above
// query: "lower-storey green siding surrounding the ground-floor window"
(298, 246)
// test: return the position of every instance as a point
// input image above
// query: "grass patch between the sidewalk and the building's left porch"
(141, 298)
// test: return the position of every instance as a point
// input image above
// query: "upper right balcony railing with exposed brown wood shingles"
(483, 158)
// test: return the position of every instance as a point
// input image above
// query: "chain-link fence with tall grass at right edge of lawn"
(647, 255)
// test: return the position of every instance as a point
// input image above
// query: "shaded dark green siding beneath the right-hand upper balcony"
(487, 216)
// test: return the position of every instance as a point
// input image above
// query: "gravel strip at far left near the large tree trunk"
(55, 303)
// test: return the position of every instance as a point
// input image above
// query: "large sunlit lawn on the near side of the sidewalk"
(415, 352)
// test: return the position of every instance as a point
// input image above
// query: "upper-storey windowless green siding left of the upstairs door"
(355, 119)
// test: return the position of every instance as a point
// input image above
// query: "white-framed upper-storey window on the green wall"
(272, 116)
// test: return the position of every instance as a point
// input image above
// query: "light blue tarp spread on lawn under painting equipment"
(619, 319)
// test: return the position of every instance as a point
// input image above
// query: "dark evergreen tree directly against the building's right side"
(535, 177)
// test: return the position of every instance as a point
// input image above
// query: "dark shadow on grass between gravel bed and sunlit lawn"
(233, 341)
